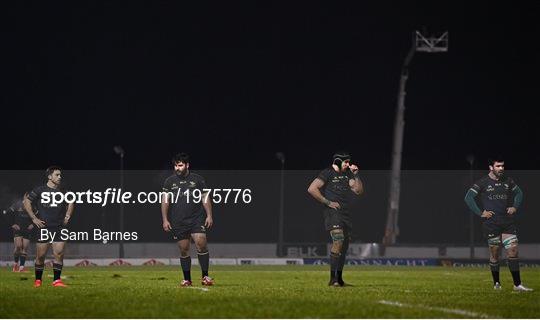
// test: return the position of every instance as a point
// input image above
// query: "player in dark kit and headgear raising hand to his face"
(334, 187)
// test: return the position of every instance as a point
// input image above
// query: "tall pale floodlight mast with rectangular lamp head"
(420, 43)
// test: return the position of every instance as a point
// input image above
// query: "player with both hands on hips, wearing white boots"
(500, 198)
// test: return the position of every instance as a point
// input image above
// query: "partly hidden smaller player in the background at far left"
(22, 227)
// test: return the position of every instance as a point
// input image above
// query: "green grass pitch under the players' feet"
(270, 292)
